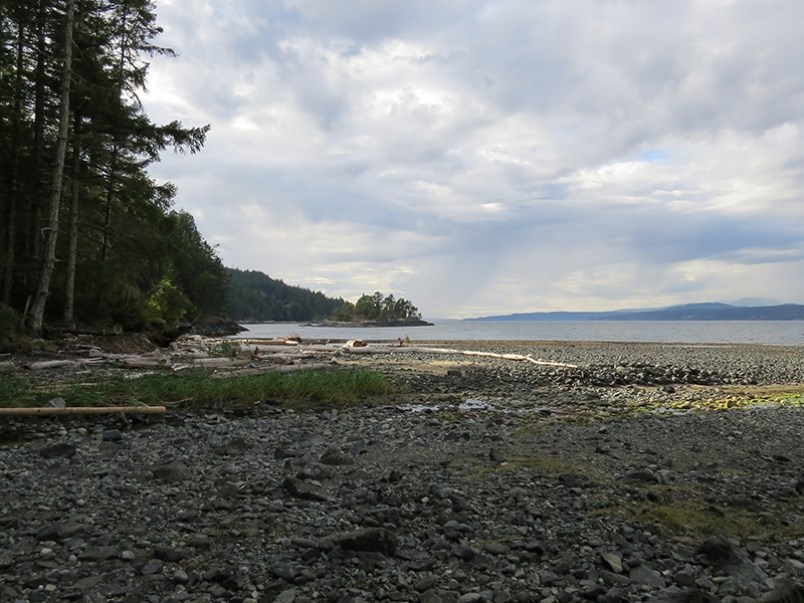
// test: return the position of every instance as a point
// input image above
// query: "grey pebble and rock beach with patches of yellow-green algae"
(640, 472)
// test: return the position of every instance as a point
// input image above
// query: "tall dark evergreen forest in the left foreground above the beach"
(86, 236)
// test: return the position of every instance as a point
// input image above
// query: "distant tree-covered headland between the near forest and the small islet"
(255, 296)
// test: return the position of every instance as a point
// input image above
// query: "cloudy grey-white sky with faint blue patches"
(494, 156)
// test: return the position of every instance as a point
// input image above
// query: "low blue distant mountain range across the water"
(701, 311)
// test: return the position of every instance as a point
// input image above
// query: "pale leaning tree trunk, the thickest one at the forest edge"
(37, 316)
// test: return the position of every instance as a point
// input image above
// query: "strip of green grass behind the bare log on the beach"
(314, 387)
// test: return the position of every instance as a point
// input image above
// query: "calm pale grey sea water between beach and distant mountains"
(743, 331)
